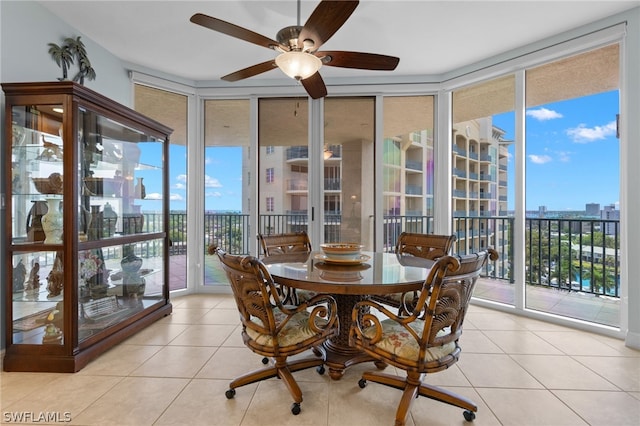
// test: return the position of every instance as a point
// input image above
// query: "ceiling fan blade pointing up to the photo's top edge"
(325, 20)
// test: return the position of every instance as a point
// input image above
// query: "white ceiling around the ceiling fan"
(429, 37)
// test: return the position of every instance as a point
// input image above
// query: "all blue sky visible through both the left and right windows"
(572, 158)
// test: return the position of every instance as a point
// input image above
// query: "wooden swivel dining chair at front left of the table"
(274, 330)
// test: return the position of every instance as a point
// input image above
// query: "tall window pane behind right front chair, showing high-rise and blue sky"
(482, 179)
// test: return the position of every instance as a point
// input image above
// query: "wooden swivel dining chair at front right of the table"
(426, 341)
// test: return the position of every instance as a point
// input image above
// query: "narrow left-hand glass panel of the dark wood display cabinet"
(37, 191)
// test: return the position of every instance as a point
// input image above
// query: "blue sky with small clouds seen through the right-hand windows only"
(572, 153)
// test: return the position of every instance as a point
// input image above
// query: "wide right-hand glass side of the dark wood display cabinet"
(120, 205)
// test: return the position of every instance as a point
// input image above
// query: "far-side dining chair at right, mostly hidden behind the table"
(427, 246)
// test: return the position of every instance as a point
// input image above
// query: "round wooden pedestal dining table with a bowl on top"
(348, 282)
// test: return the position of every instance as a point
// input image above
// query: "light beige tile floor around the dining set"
(520, 371)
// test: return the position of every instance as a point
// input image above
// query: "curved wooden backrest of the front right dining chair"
(449, 298)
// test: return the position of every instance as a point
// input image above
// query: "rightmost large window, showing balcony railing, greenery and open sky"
(572, 186)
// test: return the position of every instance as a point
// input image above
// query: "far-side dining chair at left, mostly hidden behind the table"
(287, 244)
